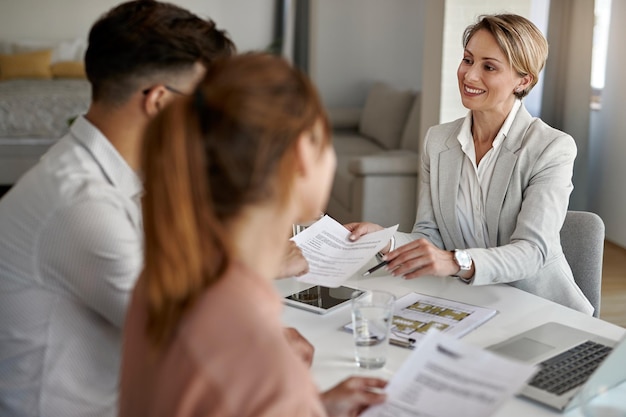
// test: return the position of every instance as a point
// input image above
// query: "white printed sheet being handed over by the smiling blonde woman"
(332, 257)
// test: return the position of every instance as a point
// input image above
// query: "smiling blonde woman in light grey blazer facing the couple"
(494, 185)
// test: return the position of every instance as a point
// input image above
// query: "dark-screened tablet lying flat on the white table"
(320, 299)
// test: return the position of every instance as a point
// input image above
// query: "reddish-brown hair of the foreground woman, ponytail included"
(230, 145)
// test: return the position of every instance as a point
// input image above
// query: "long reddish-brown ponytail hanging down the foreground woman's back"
(185, 247)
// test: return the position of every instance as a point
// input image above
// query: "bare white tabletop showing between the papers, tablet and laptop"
(517, 311)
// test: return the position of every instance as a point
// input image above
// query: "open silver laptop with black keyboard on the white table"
(570, 361)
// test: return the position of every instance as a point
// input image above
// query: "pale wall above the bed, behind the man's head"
(249, 22)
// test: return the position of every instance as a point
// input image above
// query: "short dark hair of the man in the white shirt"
(143, 39)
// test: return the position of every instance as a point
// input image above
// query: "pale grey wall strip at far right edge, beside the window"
(608, 129)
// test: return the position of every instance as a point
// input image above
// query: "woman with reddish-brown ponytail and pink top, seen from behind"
(229, 169)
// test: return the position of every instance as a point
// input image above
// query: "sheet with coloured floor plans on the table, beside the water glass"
(415, 314)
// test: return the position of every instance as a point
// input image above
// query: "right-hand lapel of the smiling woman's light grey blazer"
(503, 170)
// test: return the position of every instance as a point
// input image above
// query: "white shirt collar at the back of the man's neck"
(113, 165)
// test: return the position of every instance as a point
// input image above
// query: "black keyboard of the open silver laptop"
(570, 368)
